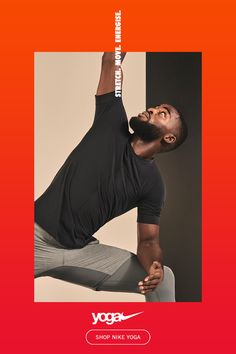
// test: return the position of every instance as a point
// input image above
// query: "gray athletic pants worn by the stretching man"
(97, 266)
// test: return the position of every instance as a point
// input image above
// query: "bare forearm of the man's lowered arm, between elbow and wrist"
(148, 252)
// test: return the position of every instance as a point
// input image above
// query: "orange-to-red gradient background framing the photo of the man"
(33, 26)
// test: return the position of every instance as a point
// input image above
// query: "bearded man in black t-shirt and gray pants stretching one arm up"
(108, 173)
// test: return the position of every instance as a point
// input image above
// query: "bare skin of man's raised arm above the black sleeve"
(107, 77)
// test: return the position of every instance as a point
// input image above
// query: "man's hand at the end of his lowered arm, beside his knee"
(156, 275)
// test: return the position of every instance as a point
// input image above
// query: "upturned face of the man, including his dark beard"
(155, 122)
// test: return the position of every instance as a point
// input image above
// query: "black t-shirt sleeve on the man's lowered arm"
(151, 205)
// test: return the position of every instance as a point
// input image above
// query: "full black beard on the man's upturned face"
(145, 131)
